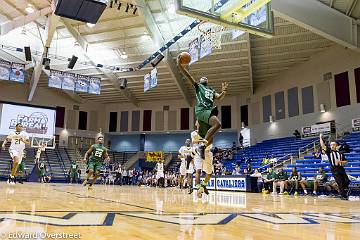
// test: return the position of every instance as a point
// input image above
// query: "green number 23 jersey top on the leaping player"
(205, 96)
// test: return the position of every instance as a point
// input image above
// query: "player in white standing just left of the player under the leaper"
(187, 164)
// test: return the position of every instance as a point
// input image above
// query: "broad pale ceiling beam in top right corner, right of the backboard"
(320, 19)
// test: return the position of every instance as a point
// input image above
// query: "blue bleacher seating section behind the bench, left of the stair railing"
(280, 148)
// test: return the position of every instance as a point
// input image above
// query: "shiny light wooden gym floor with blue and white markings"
(114, 212)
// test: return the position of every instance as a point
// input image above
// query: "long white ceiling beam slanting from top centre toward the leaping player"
(159, 40)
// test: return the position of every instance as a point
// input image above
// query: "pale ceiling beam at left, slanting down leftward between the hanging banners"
(50, 29)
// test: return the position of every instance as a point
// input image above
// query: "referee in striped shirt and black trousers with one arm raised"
(337, 161)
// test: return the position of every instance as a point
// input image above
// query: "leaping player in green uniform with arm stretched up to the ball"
(205, 111)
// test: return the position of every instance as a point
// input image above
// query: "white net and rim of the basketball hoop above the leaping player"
(212, 31)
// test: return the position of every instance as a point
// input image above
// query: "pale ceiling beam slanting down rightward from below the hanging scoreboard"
(112, 77)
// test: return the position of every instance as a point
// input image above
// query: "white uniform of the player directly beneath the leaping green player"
(207, 164)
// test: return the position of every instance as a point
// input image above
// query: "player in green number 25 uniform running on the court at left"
(98, 154)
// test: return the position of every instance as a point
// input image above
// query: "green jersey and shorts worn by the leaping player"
(204, 108)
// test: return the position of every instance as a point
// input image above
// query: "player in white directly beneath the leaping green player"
(205, 165)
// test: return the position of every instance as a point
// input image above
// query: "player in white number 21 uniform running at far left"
(18, 139)
